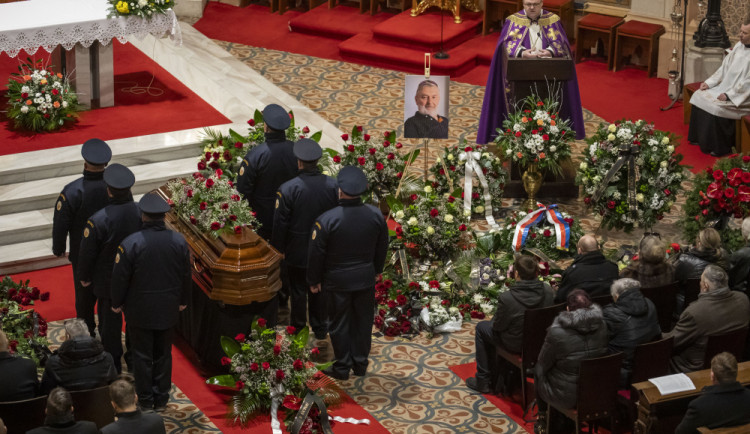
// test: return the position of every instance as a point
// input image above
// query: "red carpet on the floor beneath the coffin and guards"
(59, 282)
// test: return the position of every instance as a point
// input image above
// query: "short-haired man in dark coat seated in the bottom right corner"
(724, 404)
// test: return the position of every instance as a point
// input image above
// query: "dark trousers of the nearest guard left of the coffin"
(152, 365)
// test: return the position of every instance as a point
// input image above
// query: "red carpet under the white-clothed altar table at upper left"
(177, 108)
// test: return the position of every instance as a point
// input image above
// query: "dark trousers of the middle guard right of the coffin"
(306, 305)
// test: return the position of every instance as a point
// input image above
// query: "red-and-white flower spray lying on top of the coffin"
(211, 203)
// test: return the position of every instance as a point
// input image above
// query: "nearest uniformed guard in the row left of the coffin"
(151, 283)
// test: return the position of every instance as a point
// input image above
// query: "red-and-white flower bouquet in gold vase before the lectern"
(536, 135)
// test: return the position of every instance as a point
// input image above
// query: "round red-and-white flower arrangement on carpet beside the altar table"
(40, 99)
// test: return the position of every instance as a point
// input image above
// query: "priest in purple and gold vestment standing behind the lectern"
(530, 33)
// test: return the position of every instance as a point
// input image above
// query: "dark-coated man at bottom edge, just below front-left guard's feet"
(130, 419)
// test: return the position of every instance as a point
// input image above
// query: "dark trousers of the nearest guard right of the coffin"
(351, 314)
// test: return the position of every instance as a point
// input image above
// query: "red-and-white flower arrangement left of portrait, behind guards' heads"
(379, 157)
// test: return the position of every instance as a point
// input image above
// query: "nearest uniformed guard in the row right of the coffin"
(347, 252)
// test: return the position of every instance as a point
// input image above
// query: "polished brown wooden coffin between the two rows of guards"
(234, 269)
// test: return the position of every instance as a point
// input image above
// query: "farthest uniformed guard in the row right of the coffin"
(267, 166)
